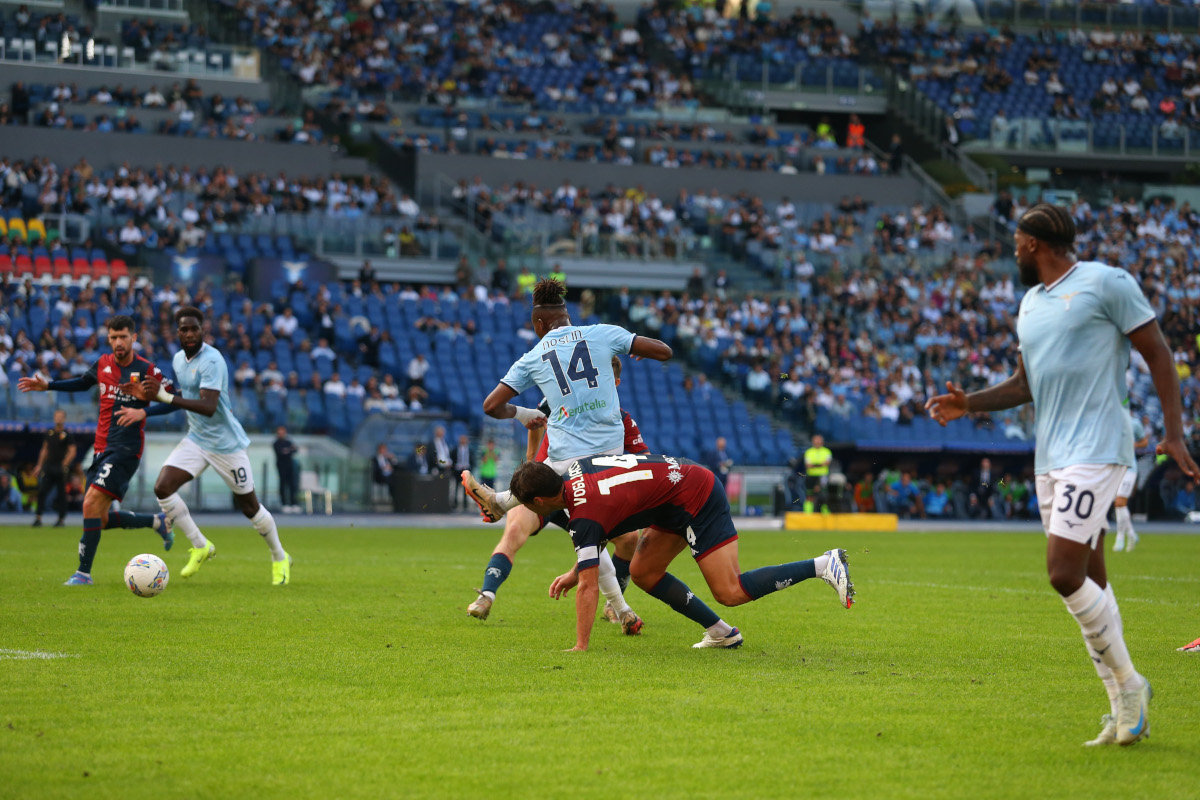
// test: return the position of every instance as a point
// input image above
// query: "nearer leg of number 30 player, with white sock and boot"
(1073, 569)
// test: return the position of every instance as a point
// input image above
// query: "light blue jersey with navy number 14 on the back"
(573, 368)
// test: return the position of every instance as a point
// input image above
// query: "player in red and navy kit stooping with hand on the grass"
(683, 506)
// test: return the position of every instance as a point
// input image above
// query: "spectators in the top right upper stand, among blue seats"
(986, 81)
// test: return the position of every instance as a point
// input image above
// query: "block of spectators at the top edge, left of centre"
(551, 55)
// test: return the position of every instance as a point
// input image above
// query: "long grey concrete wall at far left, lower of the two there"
(105, 151)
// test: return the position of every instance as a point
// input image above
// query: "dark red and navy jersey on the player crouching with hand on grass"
(609, 496)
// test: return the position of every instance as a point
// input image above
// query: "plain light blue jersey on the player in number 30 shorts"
(1075, 339)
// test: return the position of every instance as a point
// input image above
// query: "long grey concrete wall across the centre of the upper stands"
(806, 188)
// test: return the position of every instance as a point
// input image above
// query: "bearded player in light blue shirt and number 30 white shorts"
(1075, 328)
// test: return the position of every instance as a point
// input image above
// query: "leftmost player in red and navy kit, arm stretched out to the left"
(118, 450)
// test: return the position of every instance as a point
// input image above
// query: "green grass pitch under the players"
(958, 673)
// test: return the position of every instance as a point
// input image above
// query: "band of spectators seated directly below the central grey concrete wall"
(781, 237)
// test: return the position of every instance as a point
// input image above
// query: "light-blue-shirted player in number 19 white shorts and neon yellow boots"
(215, 438)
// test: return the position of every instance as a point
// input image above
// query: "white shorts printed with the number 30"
(1075, 501)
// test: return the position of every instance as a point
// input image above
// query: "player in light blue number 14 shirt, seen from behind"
(573, 369)
